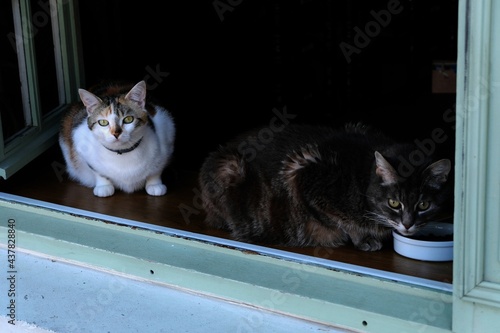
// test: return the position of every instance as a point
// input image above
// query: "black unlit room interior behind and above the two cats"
(221, 67)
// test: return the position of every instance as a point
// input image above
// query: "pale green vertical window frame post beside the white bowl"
(476, 276)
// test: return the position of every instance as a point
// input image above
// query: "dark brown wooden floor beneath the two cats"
(44, 180)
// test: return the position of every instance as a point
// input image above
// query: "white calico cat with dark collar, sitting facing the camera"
(116, 138)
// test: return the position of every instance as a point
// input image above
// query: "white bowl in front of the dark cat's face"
(431, 249)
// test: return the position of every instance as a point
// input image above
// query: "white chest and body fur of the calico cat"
(127, 166)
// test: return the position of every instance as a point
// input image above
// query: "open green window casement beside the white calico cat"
(42, 130)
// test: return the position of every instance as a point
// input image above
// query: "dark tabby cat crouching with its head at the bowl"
(308, 186)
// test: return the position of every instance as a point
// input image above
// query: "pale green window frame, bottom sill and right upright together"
(298, 286)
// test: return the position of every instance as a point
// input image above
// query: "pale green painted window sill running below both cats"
(325, 292)
